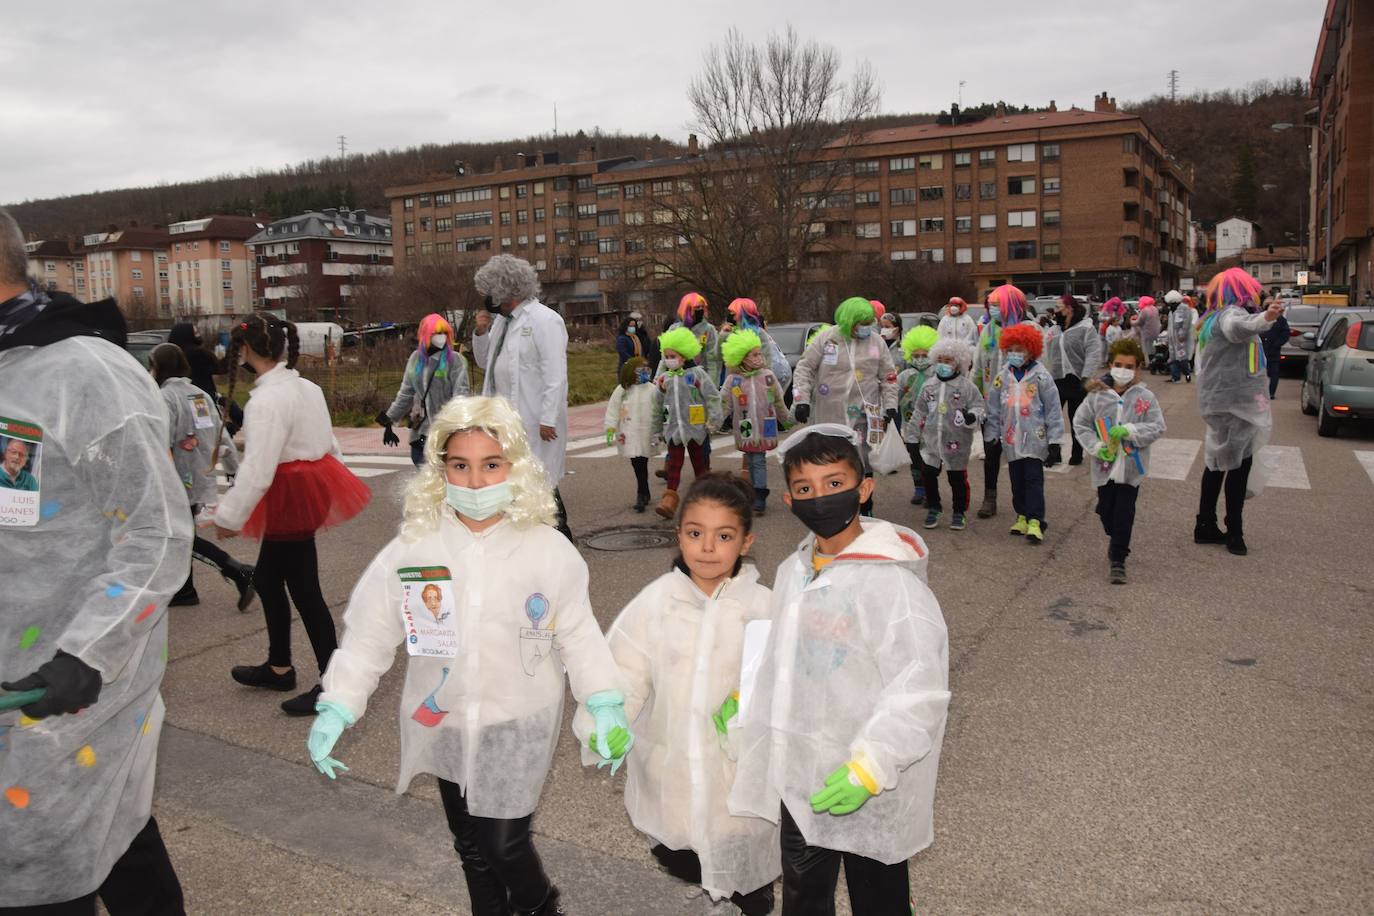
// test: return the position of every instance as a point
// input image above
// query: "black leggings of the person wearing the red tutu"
(293, 566)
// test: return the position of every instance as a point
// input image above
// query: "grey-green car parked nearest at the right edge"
(1340, 371)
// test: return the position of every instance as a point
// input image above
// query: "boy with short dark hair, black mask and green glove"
(843, 726)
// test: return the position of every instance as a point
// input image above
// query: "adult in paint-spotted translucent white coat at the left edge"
(90, 557)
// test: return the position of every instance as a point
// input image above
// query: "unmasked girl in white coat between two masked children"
(679, 646)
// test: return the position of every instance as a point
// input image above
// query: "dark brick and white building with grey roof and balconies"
(313, 264)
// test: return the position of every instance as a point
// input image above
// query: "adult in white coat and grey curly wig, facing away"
(524, 352)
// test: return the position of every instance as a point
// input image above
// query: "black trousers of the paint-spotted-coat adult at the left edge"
(142, 884)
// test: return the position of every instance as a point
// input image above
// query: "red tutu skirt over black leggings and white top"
(304, 498)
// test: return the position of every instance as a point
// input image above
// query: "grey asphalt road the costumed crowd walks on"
(1196, 742)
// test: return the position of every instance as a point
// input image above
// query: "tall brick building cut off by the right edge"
(1343, 87)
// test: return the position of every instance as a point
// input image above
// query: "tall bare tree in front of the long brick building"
(755, 211)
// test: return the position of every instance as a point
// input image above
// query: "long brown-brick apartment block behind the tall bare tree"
(1050, 201)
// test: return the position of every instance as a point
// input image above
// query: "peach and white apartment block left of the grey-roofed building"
(211, 270)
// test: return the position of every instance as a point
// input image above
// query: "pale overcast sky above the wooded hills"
(105, 95)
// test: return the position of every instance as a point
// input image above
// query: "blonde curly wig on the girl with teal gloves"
(425, 506)
